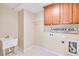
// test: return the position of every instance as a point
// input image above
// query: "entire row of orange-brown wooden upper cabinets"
(63, 13)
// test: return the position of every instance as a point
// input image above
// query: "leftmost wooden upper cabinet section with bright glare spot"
(51, 14)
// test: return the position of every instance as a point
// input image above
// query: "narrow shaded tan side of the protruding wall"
(21, 29)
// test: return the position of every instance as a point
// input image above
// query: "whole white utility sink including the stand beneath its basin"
(7, 45)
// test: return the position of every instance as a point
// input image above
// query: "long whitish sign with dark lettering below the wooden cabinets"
(63, 29)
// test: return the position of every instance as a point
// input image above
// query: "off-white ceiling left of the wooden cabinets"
(32, 7)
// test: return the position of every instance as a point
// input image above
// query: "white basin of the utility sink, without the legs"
(8, 42)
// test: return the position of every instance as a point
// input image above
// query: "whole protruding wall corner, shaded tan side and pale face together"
(26, 29)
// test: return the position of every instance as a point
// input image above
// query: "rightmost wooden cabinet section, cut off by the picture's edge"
(75, 13)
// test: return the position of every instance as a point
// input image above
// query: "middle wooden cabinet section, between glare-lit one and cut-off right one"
(66, 13)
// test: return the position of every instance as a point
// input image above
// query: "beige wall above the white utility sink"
(8, 22)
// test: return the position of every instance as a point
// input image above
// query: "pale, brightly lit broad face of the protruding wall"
(29, 29)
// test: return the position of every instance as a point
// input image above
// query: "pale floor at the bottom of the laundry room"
(34, 51)
